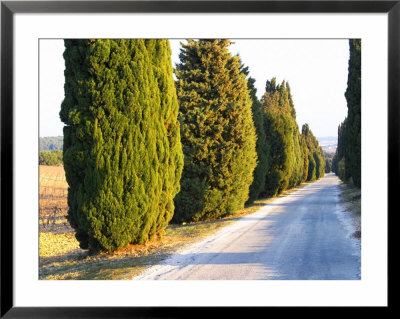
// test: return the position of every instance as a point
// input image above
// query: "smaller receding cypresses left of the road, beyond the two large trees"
(291, 158)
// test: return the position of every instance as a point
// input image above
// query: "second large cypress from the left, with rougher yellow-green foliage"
(217, 129)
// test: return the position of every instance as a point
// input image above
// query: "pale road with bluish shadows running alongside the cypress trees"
(304, 235)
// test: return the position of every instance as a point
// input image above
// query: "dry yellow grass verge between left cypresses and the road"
(62, 259)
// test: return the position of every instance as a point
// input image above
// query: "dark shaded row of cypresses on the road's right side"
(347, 160)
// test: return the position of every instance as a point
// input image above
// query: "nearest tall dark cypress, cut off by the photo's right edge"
(353, 125)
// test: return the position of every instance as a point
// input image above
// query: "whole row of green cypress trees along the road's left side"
(141, 149)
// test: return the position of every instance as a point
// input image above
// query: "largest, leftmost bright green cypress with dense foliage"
(122, 155)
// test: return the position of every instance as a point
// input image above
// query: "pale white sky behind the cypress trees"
(315, 69)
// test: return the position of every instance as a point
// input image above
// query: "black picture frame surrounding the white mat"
(9, 8)
